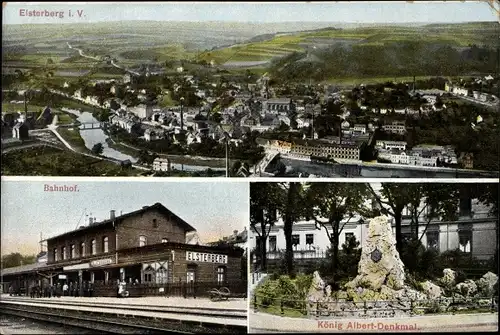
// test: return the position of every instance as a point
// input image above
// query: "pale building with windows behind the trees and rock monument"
(473, 232)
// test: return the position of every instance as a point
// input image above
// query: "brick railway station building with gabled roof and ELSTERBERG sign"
(145, 248)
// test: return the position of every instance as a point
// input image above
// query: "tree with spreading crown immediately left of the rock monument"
(330, 203)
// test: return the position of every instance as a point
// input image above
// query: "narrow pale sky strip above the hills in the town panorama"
(348, 12)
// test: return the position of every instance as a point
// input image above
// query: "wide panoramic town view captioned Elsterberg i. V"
(318, 89)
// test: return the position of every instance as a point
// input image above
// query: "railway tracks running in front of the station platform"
(116, 319)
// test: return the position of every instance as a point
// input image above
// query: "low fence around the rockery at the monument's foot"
(373, 308)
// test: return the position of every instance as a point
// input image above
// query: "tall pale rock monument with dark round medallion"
(380, 263)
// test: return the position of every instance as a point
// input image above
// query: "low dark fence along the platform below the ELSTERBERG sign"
(182, 289)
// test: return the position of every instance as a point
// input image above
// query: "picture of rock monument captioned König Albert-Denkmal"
(373, 257)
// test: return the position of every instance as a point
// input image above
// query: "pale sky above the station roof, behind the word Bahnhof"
(214, 209)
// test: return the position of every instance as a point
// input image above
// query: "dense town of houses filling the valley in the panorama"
(318, 124)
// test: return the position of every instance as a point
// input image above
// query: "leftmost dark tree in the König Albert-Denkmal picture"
(265, 199)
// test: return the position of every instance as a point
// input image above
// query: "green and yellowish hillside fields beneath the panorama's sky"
(236, 45)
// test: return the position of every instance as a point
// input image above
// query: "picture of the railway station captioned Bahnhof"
(87, 255)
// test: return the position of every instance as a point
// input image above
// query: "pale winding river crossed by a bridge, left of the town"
(93, 136)
